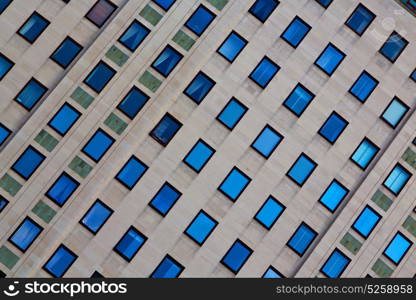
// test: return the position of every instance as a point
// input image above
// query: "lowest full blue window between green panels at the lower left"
(25, 234)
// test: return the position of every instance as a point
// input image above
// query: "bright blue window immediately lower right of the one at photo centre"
(234, 184)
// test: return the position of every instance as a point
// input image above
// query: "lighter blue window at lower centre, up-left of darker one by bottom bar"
(201, 227)
